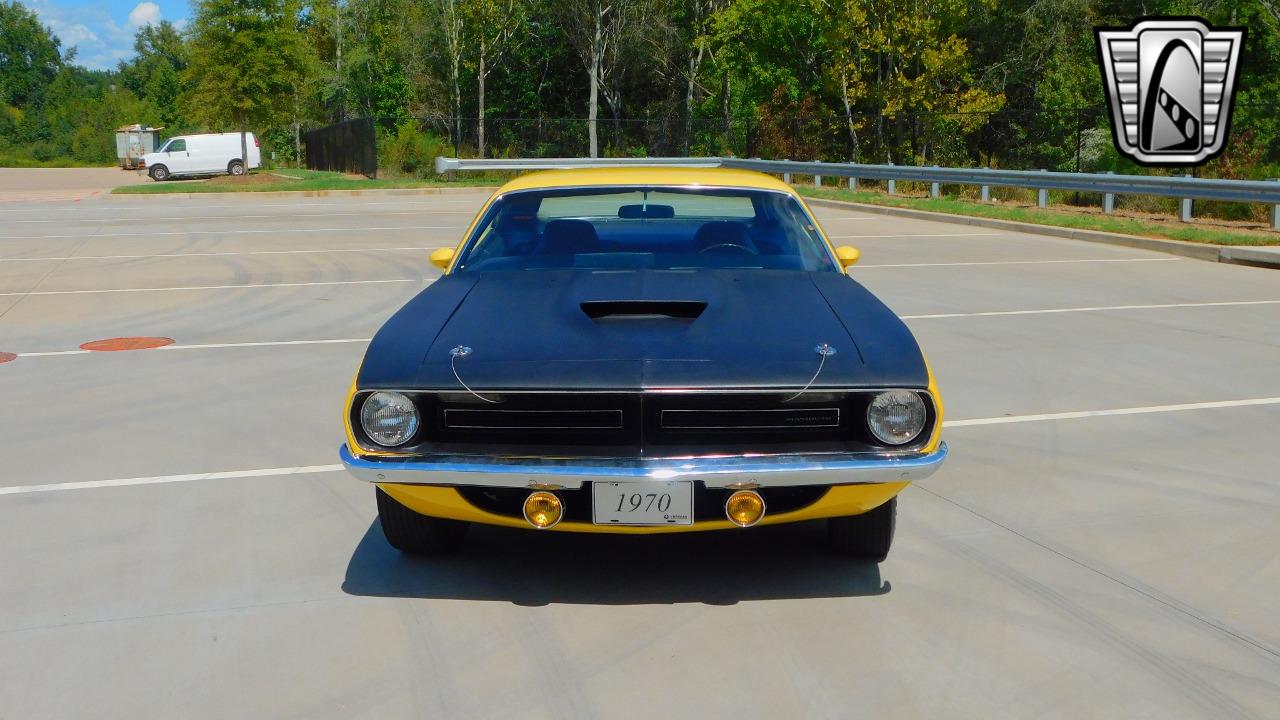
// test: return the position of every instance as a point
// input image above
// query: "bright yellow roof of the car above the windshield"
(646, 176)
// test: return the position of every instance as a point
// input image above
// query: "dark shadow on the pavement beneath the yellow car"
(534, 569)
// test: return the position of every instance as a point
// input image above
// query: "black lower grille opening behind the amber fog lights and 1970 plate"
(708, 503)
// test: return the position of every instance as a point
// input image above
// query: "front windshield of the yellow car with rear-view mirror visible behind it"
(646, 227)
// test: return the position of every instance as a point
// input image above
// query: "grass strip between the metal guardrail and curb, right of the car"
(1058, 217)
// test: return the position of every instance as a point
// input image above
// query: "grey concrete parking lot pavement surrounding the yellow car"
(175, 541)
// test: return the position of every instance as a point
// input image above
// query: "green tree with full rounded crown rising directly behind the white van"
(246, 60)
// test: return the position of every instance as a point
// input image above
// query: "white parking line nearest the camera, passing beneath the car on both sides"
(316, 470)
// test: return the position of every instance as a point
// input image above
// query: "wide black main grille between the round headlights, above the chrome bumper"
(644, 425)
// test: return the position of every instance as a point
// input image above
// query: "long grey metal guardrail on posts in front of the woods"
(1109, 185)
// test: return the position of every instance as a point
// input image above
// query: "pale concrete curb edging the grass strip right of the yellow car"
(1233, 254)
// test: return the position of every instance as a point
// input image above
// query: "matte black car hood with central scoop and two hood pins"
(632, 330)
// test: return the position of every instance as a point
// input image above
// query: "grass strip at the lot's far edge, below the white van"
(301, 181)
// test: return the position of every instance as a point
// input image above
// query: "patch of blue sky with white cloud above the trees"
(103, 31)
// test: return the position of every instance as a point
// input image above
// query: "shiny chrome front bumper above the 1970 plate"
(738, 471)
